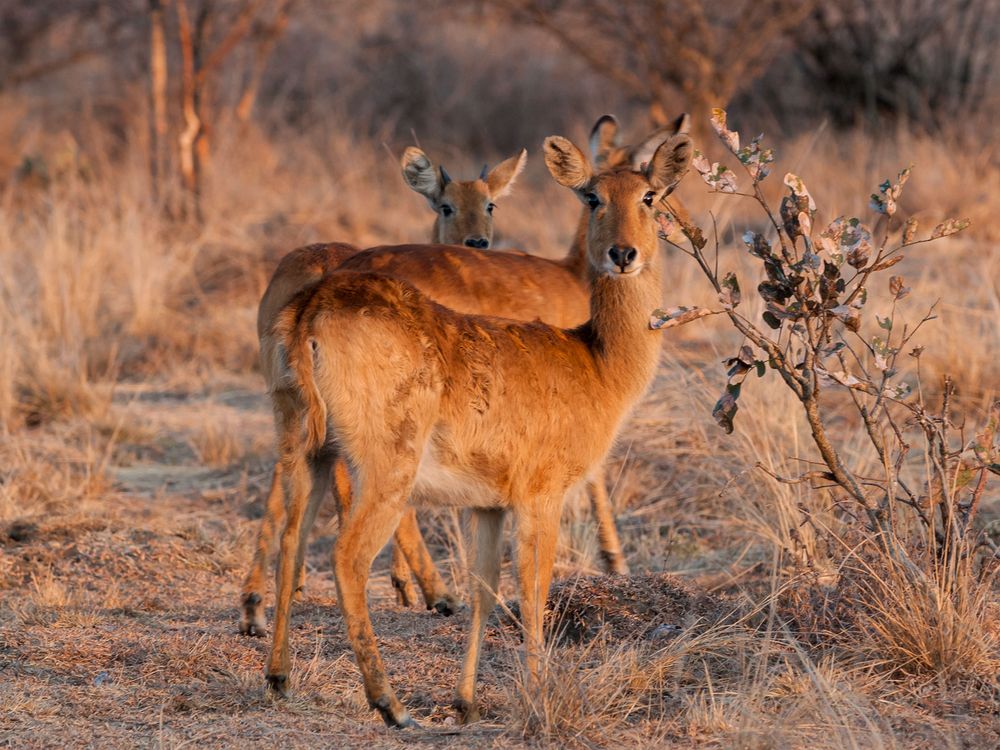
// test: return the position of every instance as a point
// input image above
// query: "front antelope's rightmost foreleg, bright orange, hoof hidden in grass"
(537, 530)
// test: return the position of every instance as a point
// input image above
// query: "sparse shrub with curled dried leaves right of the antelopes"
(918, 515)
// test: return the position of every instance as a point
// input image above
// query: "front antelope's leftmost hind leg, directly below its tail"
(307, 480)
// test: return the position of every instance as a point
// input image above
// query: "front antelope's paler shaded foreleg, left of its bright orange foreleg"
(487, 548)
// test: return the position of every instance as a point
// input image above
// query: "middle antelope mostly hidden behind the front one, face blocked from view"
(510, 285)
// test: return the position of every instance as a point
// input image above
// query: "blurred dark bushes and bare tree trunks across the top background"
(487, 76)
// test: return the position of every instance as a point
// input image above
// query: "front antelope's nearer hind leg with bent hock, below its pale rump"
(379, 505)
